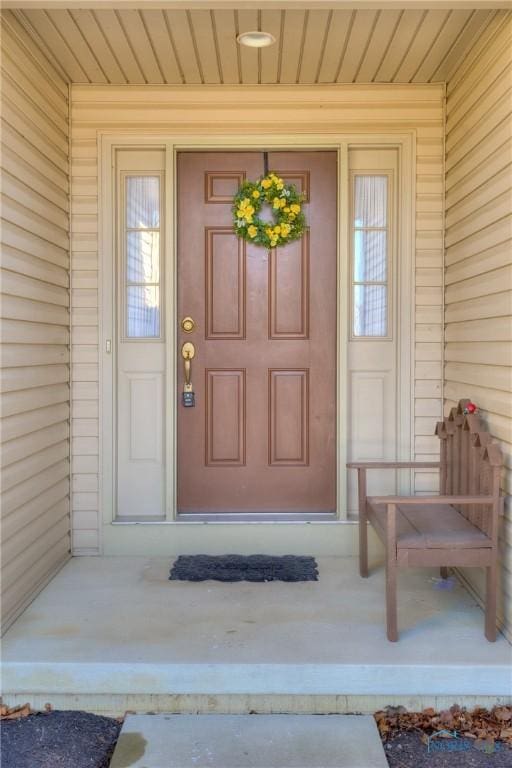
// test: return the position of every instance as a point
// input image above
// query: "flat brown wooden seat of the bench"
(432, 526)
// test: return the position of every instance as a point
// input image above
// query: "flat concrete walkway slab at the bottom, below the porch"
(249, 741)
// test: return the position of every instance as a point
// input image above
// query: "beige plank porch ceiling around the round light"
(199, 46)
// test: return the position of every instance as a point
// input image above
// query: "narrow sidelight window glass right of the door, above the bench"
(370, 255)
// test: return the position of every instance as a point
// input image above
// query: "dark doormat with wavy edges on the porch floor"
(244, 568)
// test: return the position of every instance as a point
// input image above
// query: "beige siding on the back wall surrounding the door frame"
(187, 110)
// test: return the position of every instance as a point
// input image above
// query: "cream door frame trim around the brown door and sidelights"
(108, 143)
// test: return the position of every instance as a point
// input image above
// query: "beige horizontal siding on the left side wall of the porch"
(35, 321)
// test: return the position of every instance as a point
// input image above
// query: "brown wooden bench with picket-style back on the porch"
(457, 528)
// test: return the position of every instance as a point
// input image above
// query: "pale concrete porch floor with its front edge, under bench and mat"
(109, 634)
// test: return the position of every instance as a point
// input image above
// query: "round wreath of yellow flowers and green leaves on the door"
(285, 201)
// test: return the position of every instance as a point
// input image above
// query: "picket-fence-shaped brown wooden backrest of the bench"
(471, 463)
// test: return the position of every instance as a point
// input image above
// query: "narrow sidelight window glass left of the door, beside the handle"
(142, 256)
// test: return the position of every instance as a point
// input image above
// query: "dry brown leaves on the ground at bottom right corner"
(482, 724)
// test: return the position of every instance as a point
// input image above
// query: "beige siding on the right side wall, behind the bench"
(478, 349)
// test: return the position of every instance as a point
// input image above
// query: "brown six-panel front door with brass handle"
(262, 434)
